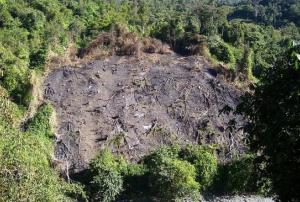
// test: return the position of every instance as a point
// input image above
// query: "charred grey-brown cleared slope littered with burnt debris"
(135, 105)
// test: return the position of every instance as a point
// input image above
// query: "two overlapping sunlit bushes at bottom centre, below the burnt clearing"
(197, 159)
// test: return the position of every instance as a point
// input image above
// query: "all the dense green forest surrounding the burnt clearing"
(254, 39)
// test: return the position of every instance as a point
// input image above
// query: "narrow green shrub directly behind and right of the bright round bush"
(204, 161)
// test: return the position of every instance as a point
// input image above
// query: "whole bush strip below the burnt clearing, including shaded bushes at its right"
(169, 174)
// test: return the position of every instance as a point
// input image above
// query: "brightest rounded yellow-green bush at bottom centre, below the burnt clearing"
(173, 179)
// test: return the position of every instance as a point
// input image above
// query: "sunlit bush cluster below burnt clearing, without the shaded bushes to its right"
(169, 173)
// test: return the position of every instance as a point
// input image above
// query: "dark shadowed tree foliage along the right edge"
(274, 128)
